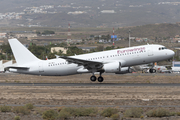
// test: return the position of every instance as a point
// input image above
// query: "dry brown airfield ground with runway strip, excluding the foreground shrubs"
(84, 93)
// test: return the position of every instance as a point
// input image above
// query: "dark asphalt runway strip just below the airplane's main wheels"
(95, 84)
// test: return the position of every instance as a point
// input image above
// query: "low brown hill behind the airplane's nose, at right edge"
(164, 30)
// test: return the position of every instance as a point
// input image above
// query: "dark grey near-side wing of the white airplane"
(86, 63)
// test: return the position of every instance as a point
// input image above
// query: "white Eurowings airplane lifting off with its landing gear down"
(112, 61)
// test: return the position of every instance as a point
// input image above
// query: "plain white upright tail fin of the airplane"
(21, 53)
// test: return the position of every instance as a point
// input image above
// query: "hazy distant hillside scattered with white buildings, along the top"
(58, 13)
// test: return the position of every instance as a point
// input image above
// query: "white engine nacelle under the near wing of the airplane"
(112, 67)
